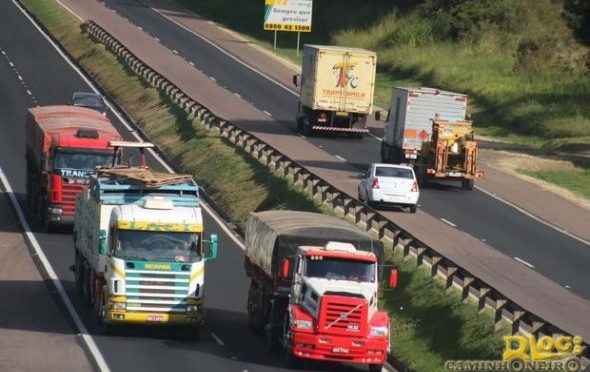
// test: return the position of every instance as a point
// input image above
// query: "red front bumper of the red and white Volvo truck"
(340, 348)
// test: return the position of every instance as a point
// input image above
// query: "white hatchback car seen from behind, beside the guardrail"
(390, 184)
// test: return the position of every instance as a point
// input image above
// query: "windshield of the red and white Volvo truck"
(340, 269)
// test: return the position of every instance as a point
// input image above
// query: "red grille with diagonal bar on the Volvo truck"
(343, 315)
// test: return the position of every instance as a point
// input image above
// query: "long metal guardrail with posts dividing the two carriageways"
(522, 320)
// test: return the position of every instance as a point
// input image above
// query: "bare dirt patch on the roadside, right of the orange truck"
(513, 163)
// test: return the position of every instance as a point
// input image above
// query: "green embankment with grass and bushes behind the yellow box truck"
(526, 77)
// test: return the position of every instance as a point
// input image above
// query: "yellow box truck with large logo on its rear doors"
(337, 85)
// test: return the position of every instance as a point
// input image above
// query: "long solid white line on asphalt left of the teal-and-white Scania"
(100, 362)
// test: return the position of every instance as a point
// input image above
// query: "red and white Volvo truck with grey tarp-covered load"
(314, 288)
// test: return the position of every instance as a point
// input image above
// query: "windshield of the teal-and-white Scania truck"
(158, 246)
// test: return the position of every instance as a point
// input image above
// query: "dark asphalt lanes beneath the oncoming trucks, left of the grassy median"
(33, 73)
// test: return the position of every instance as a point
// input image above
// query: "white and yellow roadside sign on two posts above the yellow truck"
(288, 15)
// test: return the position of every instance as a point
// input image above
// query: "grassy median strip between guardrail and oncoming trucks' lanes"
(428, 325)
